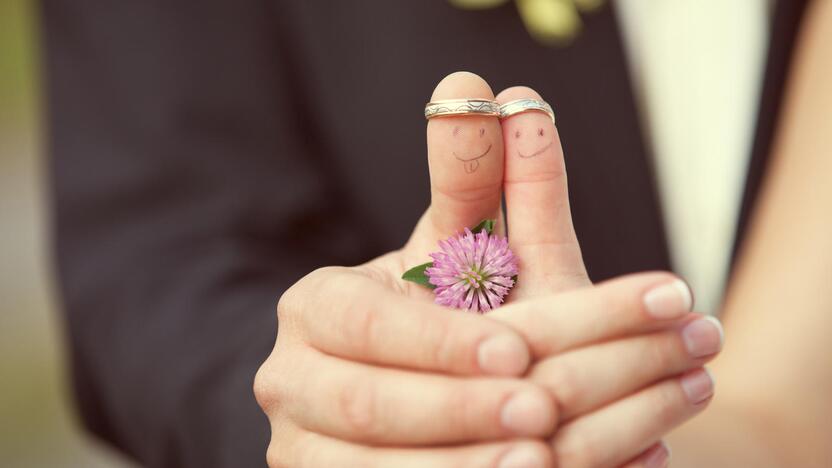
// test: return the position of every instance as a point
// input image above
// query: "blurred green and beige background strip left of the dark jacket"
(38, 426)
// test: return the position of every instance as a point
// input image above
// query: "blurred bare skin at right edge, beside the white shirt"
(776, 373)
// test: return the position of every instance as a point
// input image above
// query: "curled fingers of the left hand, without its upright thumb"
(358, 366)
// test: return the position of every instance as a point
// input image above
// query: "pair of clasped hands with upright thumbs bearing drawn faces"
(368, 372)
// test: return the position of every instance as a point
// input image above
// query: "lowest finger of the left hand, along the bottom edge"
(309, 450)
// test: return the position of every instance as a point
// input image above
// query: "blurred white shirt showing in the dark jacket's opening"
(697, 67)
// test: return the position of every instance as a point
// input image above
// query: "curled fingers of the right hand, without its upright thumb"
(618, 396)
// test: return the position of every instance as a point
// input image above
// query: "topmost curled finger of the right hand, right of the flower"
(623, 306)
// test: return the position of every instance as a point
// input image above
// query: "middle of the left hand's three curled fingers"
(383, 406)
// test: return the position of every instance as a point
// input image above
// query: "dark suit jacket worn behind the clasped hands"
(202, 154)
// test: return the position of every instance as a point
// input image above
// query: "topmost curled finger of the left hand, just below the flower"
(349, 315)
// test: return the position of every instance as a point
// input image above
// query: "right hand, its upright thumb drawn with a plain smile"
(616, 398)
